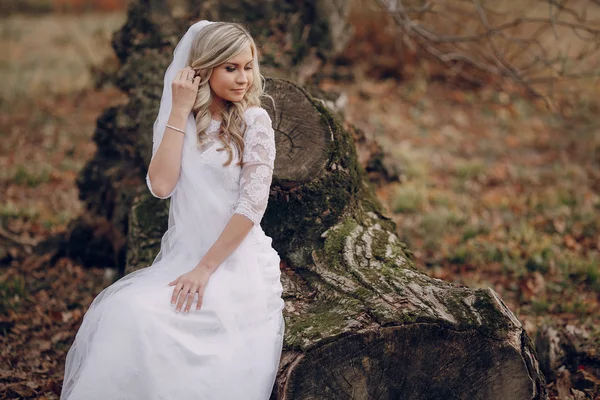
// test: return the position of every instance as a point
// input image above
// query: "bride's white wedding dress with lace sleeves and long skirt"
(133, 345)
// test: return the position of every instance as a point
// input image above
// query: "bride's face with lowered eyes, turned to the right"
(231, 80)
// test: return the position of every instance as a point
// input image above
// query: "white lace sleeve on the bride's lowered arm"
(257, 172)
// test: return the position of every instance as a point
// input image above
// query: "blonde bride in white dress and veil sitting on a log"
(204, 321)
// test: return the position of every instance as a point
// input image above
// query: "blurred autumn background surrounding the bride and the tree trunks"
(477, 122)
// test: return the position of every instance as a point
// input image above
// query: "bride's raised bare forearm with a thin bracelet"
(164, 168)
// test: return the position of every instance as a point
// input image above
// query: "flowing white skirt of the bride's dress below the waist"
(133, 345)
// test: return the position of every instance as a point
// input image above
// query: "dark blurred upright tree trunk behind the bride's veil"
(291, 35)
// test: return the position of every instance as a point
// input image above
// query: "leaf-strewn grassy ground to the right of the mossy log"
(492, 192)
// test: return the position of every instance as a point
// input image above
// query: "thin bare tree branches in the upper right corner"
(542, 45)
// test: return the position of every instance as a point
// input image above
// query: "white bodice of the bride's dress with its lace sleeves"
(208, 192)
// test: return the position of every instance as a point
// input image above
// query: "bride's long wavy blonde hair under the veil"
(214, 45)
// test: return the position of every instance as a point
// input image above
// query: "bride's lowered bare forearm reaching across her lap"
(234, 233)
